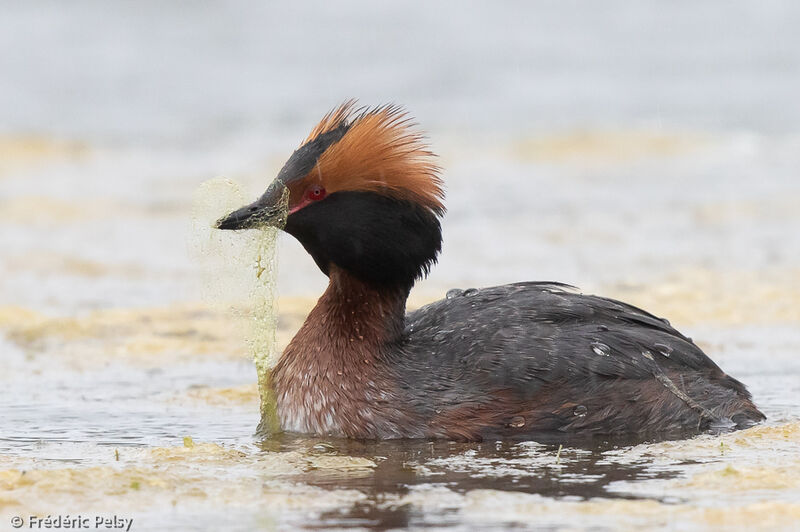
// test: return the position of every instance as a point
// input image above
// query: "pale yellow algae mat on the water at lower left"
(166, 478)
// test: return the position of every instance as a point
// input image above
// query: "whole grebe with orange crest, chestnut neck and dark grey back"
(512, 361)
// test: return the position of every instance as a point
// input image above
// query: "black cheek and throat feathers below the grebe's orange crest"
(378, 239)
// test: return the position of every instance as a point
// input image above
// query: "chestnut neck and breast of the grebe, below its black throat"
(329, 375)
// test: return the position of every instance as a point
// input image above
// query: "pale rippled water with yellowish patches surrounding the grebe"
(647, 152)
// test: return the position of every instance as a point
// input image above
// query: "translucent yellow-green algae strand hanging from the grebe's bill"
(242, 274)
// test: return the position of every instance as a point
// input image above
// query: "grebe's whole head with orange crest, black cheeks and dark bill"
(364, 194)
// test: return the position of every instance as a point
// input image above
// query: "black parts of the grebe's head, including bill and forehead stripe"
(378, 239)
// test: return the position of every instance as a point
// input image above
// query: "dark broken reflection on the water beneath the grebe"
(403, 466)
